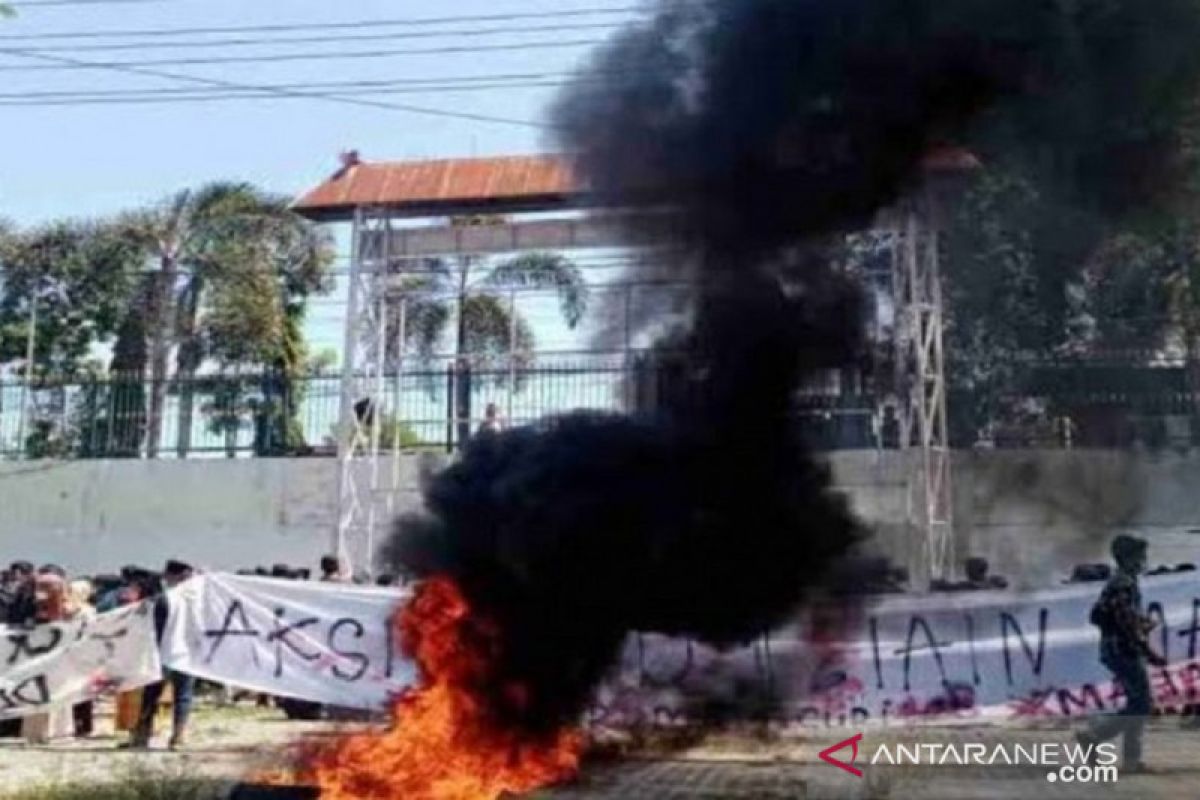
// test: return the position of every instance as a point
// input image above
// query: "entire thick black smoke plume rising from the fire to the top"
(761, 131)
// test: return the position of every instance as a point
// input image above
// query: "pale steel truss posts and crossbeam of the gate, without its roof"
(370, 478)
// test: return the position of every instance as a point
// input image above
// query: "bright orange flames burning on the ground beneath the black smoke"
(443, 744)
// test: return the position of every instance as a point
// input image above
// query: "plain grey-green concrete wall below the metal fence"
(1033, 514)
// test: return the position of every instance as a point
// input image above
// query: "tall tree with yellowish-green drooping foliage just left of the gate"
(233, 269)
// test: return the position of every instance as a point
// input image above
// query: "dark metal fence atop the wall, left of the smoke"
(268, 414)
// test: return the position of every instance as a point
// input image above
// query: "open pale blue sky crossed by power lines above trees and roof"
(93, 160)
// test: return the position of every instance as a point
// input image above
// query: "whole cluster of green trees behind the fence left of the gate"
(217, 276)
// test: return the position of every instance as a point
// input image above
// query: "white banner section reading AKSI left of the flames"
(323, 642)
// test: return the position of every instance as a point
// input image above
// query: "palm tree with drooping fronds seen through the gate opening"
(476, 296)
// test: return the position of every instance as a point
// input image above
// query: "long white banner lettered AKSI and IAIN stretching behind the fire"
(897, 660)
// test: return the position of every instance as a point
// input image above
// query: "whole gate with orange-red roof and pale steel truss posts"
(376, 197)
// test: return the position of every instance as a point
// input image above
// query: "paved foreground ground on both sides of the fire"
(231, 745)
